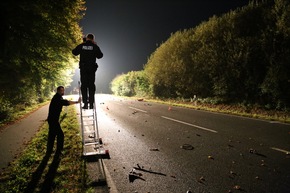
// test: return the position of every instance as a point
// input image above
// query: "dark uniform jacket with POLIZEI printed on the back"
(88, 52)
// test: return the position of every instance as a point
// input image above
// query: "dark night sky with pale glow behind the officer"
(129, 31)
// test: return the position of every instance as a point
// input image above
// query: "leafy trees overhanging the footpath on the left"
(35, 53)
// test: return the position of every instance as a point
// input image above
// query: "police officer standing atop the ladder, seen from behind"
(89, 52)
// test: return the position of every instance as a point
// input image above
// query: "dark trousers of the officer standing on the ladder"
(88, 87)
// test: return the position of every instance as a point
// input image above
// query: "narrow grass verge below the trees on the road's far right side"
(234, 109)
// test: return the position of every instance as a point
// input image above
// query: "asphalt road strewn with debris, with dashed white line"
(158, 148)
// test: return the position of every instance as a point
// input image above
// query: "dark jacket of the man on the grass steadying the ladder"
(55, 107)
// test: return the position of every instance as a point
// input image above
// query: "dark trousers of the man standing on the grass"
(54, 131)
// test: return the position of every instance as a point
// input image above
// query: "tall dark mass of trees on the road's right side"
(240, 57)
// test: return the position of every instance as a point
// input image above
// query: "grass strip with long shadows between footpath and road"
(31, 173)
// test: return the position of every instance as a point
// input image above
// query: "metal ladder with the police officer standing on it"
(92, 143)
